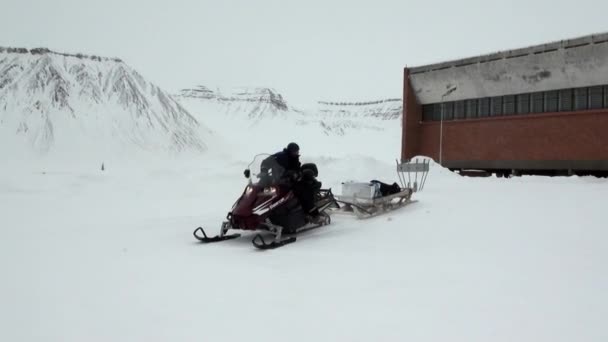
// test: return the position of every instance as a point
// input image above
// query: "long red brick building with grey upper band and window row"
(540, 109)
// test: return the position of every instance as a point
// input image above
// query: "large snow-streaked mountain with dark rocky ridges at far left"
(62, 102)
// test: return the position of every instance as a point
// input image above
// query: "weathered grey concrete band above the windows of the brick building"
(572, 63)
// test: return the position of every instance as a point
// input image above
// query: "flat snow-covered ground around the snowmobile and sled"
(88, 255)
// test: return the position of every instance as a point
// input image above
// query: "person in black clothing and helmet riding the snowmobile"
(287, 169)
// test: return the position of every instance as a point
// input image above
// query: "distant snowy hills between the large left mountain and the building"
(265, 115)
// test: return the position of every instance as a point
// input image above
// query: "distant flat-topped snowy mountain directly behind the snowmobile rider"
(250, 120)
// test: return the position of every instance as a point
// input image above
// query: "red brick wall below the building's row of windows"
(566, 140)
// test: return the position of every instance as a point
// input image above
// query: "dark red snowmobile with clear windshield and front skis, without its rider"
(268, 205)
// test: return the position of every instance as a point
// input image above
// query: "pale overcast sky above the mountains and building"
(307, 49)
